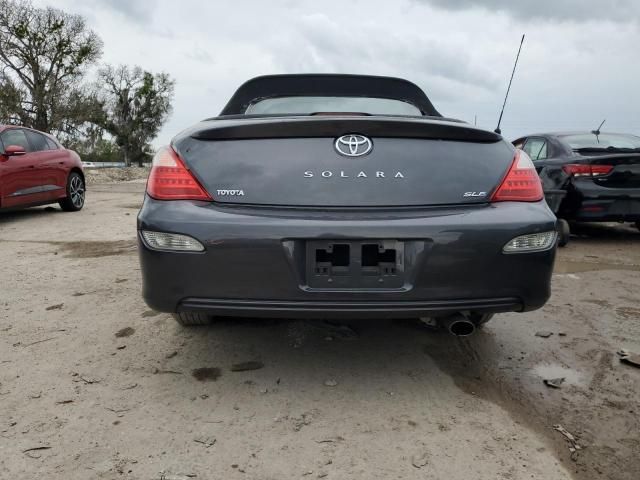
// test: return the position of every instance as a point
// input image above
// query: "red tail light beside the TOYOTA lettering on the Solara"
(170, 179)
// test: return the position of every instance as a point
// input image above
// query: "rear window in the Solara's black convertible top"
(308, 105)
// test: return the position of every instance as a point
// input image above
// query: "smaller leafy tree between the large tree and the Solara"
(137, 103)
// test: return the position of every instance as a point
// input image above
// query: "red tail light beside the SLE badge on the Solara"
(521, 183)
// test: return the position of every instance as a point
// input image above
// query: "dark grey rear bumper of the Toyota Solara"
(254, 262)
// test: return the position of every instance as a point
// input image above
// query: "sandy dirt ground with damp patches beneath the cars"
(93, 384)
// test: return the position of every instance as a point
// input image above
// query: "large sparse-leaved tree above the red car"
(44, 53)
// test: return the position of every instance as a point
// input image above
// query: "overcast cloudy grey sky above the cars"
(580, 62)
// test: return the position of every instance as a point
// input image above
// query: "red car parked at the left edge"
(36, 170)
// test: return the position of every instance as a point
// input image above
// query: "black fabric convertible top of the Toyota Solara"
(320, 85)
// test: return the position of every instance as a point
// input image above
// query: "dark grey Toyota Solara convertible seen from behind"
(342, 196)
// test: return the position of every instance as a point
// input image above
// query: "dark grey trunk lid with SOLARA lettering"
(294, 162)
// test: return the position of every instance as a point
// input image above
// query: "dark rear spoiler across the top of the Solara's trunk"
(301, 127)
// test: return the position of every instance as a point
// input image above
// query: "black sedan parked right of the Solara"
(588, 176)
